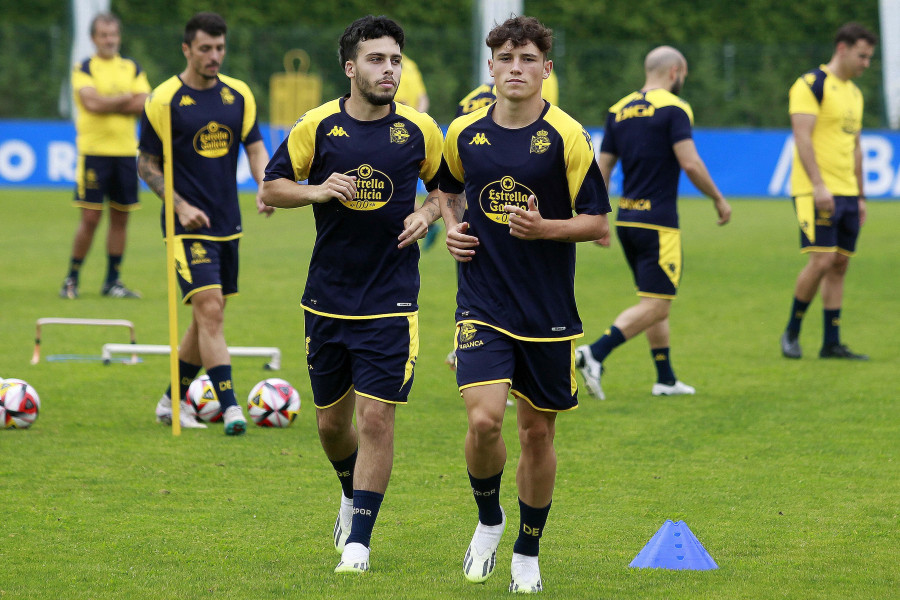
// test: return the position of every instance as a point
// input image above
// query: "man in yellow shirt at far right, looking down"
(826, 111)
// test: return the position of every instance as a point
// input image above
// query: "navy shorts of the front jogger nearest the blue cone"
(540, 372)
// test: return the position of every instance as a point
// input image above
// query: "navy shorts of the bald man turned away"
(654, 256)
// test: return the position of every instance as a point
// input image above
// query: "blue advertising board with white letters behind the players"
(742, 162)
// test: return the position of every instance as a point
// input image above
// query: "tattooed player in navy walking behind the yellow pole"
(211, 114)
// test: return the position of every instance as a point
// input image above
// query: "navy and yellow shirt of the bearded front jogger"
(356, 269)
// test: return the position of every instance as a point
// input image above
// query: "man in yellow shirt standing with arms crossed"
(109, 95)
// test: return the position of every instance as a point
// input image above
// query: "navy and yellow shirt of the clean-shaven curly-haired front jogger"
(524, 288)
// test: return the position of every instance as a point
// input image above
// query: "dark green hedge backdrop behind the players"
(742, 57)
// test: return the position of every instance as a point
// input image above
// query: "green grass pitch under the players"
(787, 471)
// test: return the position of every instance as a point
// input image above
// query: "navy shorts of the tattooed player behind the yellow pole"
(203, 264)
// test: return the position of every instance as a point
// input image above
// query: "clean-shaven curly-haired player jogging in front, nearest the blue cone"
(525, 166)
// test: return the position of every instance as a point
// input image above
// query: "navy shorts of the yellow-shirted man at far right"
(822, 231)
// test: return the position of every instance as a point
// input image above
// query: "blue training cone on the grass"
(674, 546)
